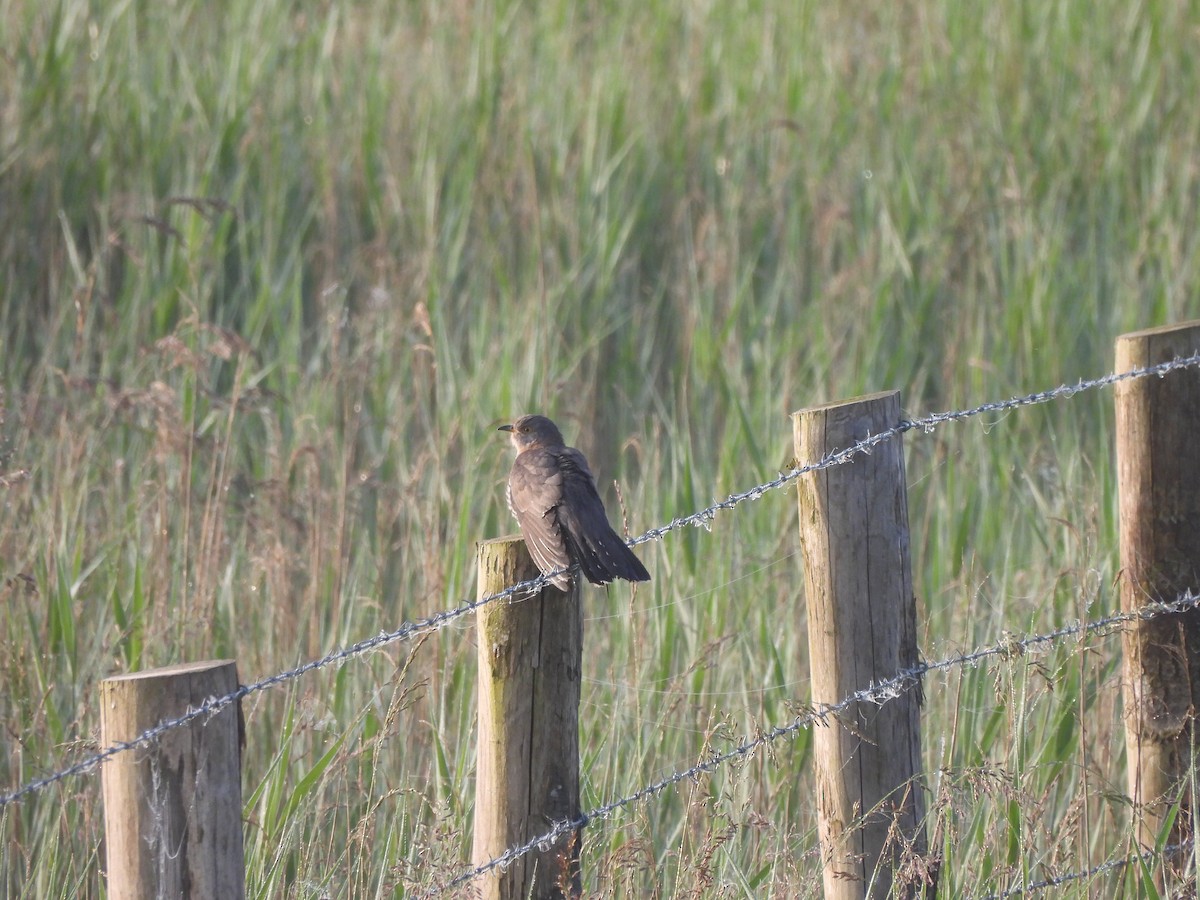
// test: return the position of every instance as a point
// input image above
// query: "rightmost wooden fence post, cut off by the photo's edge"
(1159, 496)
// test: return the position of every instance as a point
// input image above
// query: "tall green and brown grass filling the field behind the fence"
(271, 274)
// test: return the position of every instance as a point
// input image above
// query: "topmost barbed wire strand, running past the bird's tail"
(703, 519)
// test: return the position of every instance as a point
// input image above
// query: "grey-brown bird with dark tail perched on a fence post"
(554, 497)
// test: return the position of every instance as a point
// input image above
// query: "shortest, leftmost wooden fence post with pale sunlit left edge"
(173, 809)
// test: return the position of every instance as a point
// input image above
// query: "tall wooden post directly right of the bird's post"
(862, 626)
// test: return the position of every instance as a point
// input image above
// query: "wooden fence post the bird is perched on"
(527, 775)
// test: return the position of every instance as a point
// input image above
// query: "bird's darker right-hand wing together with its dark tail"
(591, 541)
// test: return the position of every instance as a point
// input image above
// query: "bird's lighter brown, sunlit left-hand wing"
(536, 495)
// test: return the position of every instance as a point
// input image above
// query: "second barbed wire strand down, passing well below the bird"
(1009, 647)
